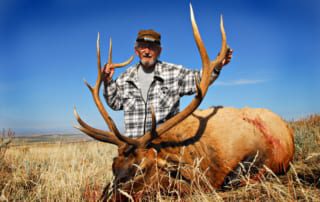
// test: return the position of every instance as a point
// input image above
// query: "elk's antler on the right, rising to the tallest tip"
(202, 87)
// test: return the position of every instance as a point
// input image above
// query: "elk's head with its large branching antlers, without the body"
(137, 155)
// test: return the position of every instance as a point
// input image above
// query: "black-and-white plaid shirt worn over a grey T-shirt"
(169, 84)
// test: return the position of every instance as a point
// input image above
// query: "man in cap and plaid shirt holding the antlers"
(150, 83)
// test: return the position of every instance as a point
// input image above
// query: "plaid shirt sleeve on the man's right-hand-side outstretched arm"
(187, 80)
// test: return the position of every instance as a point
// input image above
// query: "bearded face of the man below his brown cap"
(148, 53)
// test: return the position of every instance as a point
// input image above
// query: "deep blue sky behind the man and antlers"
(48, 47)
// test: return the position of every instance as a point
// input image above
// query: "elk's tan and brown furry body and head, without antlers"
(214, 141)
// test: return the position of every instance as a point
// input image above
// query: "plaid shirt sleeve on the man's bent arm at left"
(112, 95)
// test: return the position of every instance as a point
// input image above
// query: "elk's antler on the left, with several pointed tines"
(110, 137)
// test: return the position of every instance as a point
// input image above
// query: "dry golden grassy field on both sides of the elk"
(73, 169)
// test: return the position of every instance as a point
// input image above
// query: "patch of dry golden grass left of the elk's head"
(62, 172)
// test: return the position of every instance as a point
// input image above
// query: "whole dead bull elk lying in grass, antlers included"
(221, 141)
